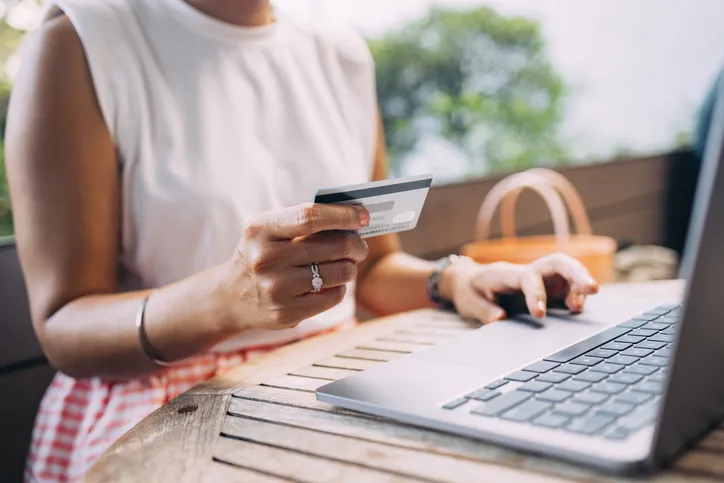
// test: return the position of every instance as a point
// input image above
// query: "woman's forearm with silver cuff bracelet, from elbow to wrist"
(96, 335)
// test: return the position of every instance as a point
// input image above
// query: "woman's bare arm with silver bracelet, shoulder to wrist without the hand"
(65, 188)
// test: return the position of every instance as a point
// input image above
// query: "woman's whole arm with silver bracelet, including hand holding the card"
(64, 184)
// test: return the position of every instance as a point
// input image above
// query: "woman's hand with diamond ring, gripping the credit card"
(269, 280)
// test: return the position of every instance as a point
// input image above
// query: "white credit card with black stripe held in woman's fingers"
(394, 204)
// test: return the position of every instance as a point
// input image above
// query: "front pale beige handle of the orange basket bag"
(514, 184)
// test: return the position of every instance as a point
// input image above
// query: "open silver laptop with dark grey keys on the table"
(624, 387)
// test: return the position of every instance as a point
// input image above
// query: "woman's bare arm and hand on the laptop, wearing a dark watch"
(392, 281)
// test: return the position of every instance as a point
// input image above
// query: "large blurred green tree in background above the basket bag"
(477, 79)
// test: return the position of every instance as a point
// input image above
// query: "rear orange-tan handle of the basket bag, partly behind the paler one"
(566, 190)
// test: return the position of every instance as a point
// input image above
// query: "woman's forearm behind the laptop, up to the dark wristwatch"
(397, 283)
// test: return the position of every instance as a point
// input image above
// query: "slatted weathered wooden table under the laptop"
(262, 423)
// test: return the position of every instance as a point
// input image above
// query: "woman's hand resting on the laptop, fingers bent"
(473, 287)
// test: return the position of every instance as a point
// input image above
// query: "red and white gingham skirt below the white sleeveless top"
(79, 419)
